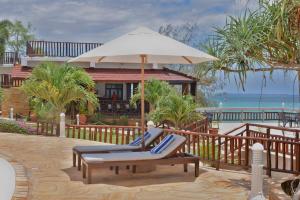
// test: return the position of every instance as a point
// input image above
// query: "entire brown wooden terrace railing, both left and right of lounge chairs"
(282, 153)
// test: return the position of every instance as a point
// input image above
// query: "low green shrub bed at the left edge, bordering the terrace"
(12, 127)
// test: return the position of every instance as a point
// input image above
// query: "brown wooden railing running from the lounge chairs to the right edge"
(236, 150)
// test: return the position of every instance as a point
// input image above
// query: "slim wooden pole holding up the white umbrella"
(143, 59)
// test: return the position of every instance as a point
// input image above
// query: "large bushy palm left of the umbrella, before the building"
(52, 87)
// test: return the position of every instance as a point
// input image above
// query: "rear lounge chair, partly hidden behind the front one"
(155, 133)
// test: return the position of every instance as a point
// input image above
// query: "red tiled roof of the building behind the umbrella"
(118, 75)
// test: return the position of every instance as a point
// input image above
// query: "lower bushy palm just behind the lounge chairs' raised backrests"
(175, 109)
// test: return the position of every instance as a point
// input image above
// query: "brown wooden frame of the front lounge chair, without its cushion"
(172, 159)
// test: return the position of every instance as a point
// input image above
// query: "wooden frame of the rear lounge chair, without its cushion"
(78, 154)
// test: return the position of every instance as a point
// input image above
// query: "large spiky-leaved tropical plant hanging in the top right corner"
(262, 40)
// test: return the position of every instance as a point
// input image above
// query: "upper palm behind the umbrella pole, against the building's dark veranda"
(154, 90)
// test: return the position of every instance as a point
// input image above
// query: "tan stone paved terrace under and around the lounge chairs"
(48, 164)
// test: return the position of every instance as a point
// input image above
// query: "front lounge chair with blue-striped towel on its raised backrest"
(167, 155)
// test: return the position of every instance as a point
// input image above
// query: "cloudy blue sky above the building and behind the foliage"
(103, 20)
